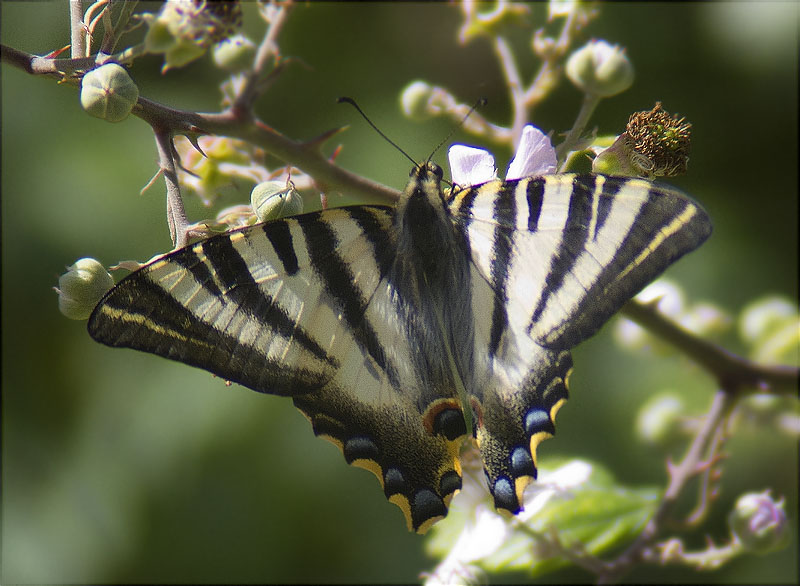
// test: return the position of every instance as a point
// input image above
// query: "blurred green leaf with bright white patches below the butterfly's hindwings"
(592, 513)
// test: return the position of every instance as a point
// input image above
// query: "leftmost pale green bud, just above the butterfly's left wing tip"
(81, 287)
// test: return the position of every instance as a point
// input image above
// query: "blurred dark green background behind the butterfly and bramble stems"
(123, 467)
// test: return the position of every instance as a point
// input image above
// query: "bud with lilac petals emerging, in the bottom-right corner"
(760, 522)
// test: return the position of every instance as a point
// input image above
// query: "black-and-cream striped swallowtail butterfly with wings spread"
(400, 332)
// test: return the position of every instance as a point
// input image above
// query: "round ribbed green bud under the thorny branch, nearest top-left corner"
(108, 92)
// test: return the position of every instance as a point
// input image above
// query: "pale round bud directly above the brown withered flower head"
(600, 69)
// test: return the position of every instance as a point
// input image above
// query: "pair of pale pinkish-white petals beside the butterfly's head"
(472, 166)
